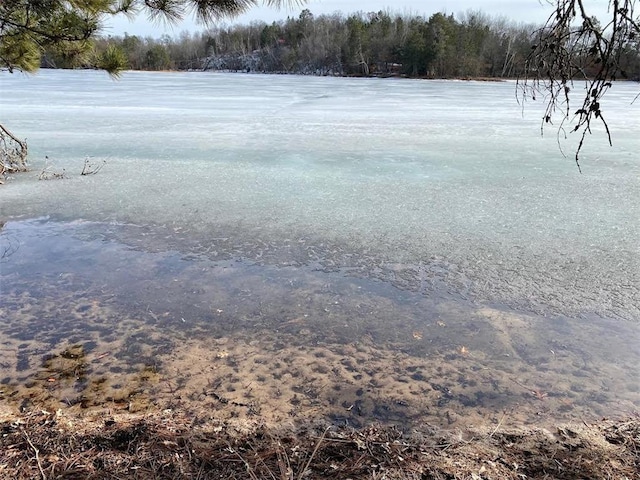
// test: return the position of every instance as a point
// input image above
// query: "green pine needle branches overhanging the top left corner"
(67, 28)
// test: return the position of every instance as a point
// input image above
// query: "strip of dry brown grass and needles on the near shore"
(169, 446)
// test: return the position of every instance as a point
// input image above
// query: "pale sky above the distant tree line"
(526, 11)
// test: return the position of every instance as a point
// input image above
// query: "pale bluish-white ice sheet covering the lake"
(413, 173)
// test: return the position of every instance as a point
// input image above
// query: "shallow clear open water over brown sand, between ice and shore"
(115, 316)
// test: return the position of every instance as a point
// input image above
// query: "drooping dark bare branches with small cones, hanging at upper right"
(574, 46)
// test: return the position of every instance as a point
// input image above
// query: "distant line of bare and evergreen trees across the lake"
(361, 44)
